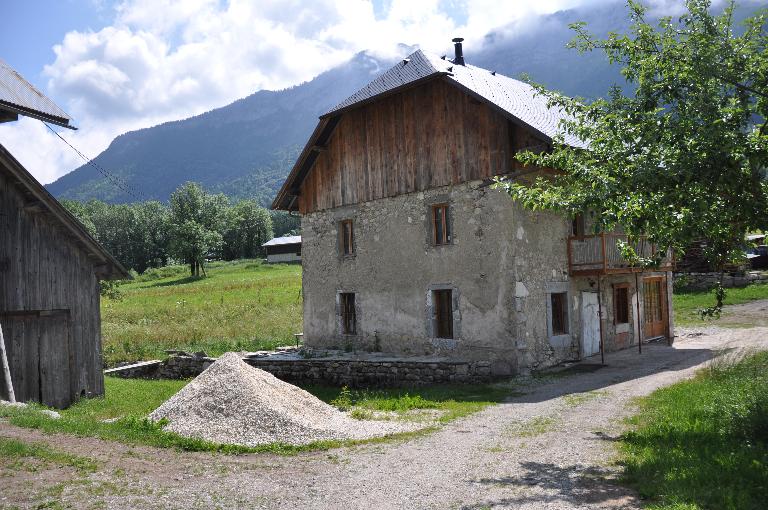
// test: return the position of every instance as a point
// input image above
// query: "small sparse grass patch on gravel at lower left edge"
(14, 453)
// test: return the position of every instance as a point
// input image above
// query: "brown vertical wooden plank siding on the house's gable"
(429, 136)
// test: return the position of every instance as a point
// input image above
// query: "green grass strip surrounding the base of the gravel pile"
(129, 401)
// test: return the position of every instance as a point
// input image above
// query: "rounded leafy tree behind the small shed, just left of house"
(249, 227)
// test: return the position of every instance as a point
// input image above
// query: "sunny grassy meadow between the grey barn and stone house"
(241, 305)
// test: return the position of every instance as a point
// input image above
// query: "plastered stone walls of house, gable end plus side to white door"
(502, 264)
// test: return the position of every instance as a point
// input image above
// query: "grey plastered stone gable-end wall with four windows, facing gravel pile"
(395, 268)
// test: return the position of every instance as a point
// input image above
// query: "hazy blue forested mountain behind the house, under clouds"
(246, 149)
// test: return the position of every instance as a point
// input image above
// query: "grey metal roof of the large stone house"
(514, 97)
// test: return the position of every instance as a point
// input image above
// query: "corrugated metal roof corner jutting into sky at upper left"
(17, 95)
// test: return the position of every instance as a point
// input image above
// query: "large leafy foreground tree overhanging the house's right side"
(680, 157)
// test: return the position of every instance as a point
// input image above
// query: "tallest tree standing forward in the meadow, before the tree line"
(197, 221)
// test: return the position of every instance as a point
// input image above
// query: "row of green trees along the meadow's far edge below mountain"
(194, 227)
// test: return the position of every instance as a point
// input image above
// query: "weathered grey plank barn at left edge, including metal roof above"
(50, 268)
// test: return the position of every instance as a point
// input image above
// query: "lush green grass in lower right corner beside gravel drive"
(703, 443)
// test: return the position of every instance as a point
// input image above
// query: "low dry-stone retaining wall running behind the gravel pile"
(336, 372)
